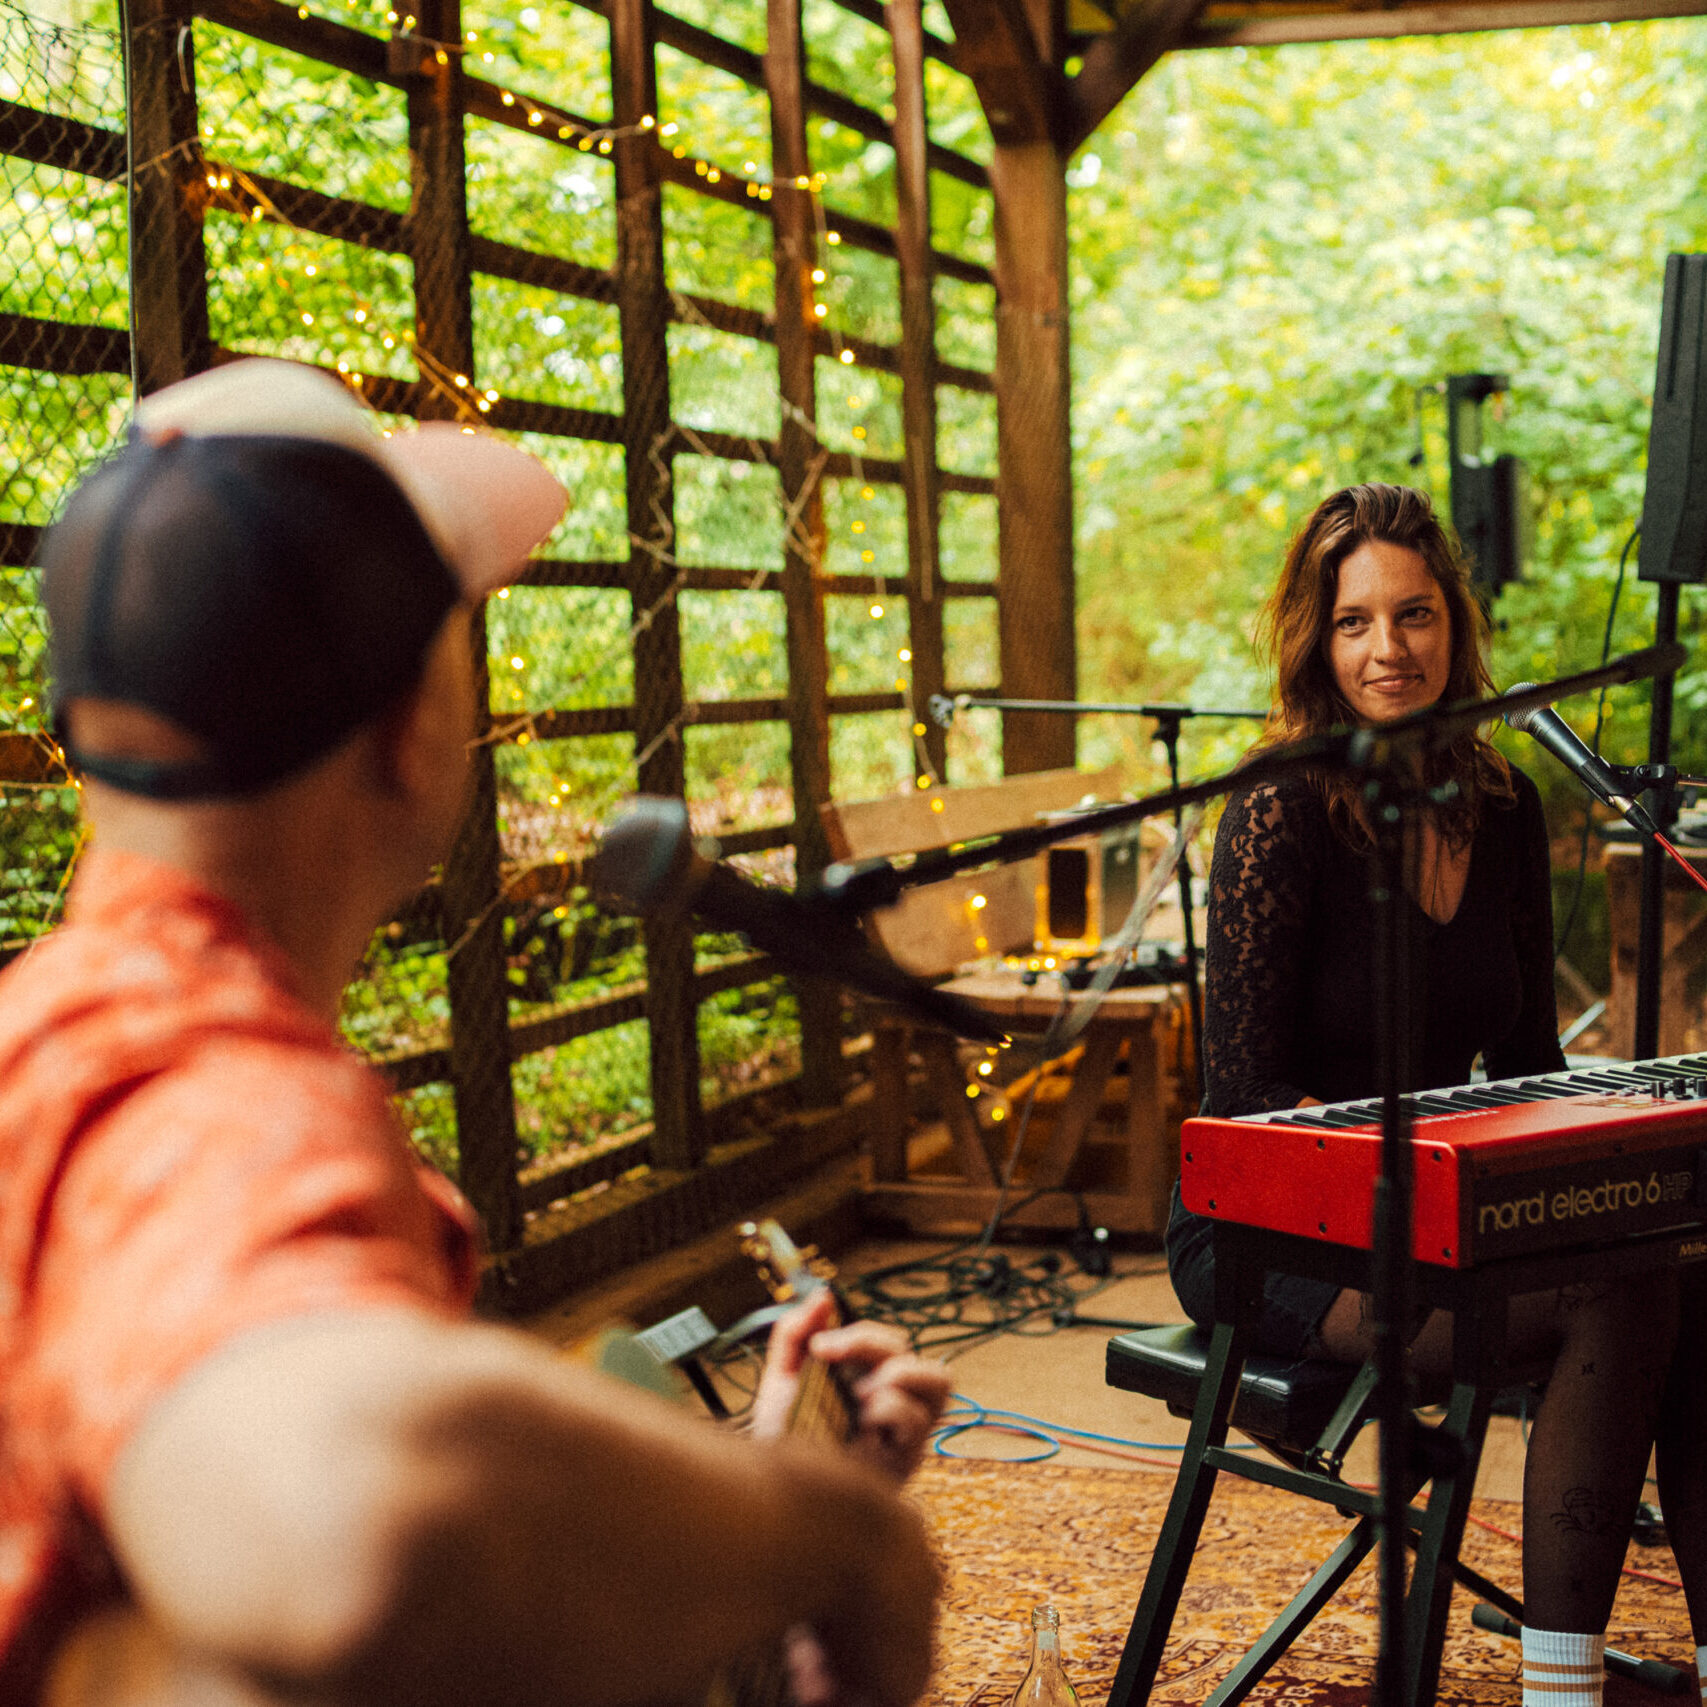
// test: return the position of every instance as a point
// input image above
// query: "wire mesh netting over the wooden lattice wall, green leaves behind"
(274, 206)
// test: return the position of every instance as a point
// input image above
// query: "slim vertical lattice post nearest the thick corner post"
(919, 371)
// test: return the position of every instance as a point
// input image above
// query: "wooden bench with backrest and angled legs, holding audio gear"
(1097, 1134)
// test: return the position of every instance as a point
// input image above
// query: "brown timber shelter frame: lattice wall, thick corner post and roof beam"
(1047, 74)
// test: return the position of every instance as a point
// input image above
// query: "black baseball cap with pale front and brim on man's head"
(264, 568)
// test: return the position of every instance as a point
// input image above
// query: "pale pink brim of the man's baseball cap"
(487, 503)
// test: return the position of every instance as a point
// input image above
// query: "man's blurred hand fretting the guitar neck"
(899, 1395)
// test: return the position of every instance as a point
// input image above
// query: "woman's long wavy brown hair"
(1295, 632)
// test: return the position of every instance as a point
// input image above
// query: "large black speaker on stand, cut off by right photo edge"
(1675, 504)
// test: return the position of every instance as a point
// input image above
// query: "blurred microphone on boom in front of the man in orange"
(648, 865)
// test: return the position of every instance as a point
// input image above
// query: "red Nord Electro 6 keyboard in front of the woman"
(1503, 1168)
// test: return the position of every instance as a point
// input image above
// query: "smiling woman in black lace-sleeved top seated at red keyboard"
(1373, 620)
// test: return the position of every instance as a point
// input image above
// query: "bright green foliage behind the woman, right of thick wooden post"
(1276, 250)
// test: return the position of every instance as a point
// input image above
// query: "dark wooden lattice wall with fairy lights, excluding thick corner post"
(692, 1180)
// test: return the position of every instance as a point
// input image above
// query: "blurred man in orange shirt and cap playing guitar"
(250, 1445)
